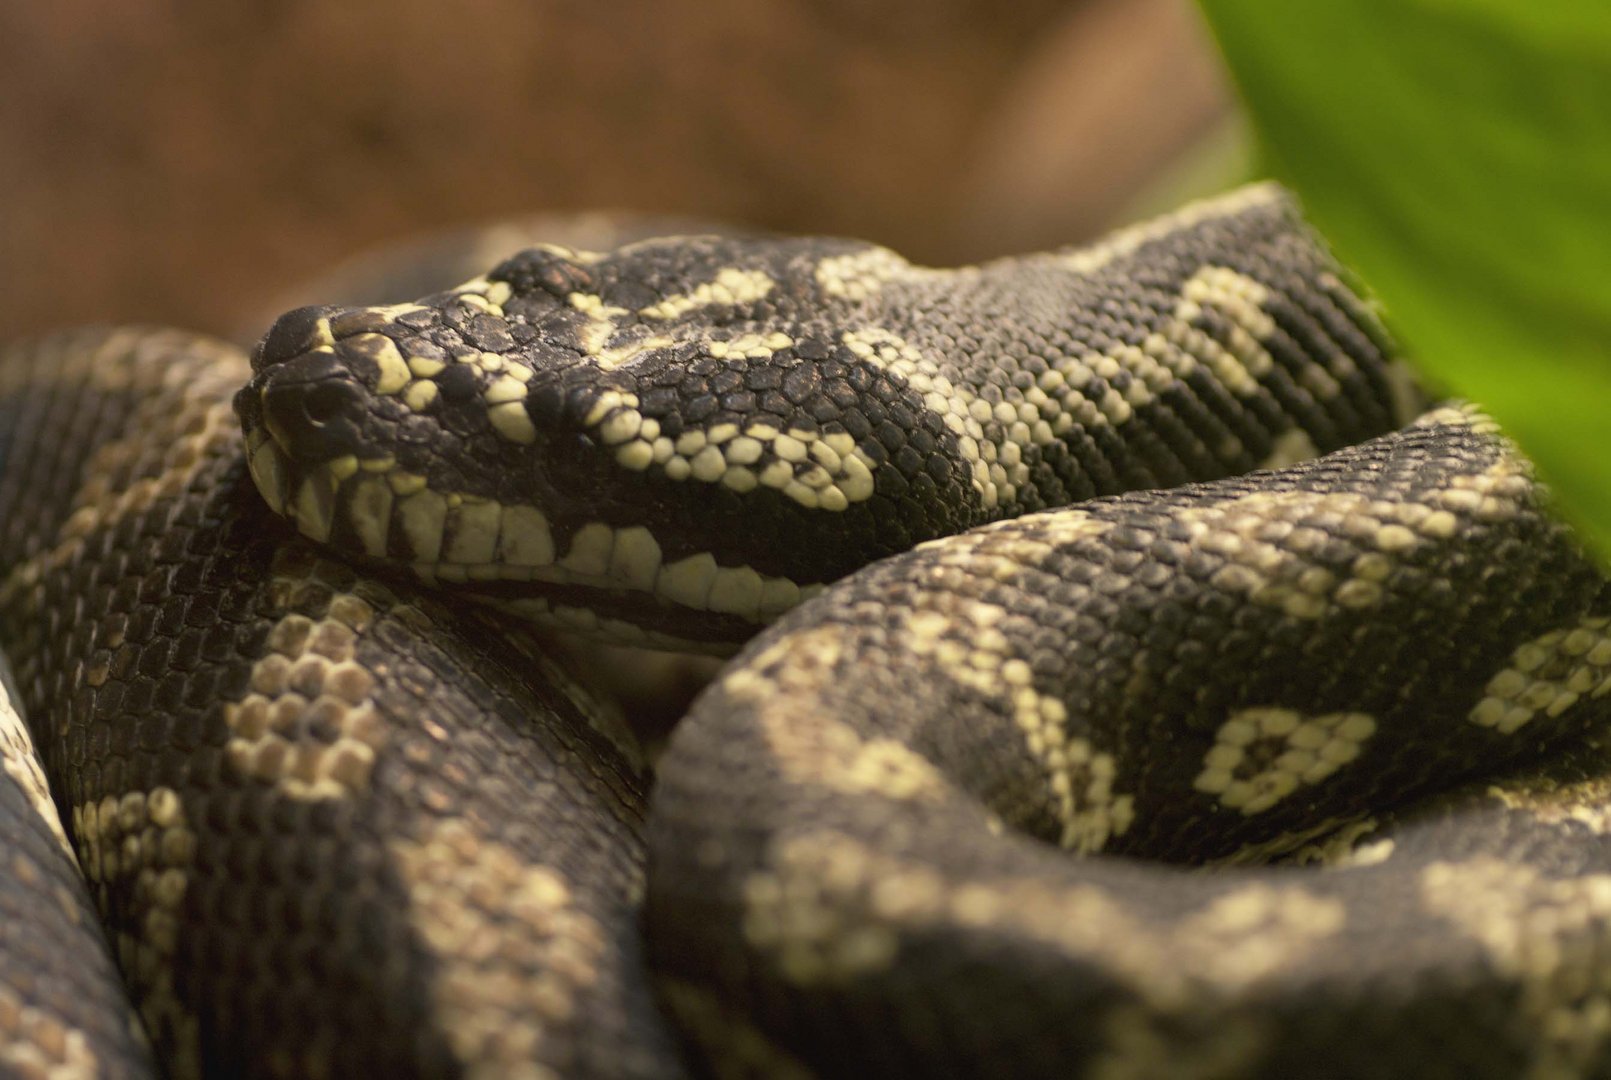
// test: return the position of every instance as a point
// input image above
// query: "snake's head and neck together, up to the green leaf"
(681, 439)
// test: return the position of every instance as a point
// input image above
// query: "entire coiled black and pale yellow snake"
(1130, 676)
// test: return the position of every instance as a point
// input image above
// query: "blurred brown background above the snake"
(184, 162)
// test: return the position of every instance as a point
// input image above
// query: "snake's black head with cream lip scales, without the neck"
(663, 444)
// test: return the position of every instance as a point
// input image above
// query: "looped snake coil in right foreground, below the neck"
(855, 834)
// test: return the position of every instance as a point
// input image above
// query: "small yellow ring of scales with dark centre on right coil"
(1264, 755)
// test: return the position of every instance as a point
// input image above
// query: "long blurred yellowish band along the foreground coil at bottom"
(829, 910)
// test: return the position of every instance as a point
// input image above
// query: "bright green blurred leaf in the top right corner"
(1459, 157)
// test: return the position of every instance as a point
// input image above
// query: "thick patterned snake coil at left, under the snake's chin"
(333, 828)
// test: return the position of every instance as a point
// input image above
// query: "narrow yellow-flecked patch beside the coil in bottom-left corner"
(141, 847)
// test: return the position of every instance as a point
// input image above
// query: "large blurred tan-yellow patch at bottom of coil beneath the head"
(513, 949)
